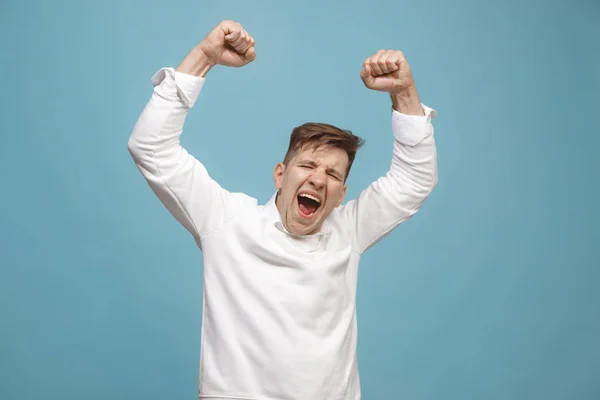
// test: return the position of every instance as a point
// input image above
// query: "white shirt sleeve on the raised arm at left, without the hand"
(179, 180)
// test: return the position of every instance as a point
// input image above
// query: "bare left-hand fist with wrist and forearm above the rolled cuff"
(227, 44)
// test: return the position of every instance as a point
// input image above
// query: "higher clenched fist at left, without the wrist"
(229, 44)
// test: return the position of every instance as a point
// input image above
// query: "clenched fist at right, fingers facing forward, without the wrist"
(387, 71)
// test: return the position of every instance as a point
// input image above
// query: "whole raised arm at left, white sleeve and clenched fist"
(180, 181)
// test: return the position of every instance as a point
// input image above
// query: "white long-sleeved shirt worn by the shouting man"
(279, 315)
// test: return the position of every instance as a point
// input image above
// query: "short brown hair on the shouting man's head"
(316, 135)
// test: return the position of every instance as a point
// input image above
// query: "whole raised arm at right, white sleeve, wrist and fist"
(399, 194)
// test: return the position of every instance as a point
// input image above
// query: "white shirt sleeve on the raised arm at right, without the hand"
(400, 193)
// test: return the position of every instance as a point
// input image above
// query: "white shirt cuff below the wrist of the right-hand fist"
(412, 129)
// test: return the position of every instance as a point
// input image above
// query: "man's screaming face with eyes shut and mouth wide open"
(310, 187)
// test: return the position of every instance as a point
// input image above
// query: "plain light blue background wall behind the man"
(490, 292)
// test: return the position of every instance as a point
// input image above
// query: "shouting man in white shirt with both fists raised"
(280, 279)
